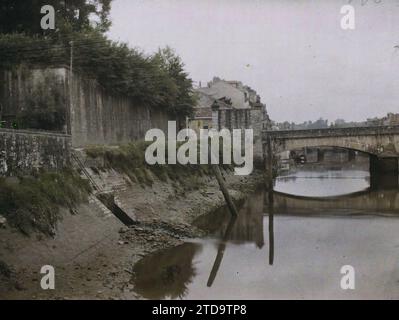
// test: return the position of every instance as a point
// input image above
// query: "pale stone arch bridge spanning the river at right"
(381, 143)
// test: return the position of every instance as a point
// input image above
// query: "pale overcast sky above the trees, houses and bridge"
(294, 53)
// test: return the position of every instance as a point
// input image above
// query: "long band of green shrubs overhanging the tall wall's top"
(154, 80)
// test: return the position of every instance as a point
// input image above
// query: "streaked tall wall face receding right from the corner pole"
(99, 118)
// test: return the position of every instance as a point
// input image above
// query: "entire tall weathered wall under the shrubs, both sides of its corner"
(92, 117)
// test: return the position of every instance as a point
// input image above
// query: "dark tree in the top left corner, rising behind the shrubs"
(71, 15)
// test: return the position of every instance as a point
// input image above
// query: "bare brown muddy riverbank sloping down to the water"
(93, 253)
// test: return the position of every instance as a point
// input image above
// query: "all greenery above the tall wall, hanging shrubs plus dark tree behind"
(154, 80)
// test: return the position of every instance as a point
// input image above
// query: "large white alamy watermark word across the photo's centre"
(236, 148)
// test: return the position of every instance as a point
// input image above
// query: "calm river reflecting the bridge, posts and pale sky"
(290, 244)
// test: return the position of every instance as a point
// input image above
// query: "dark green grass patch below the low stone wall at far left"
(33, 203)
